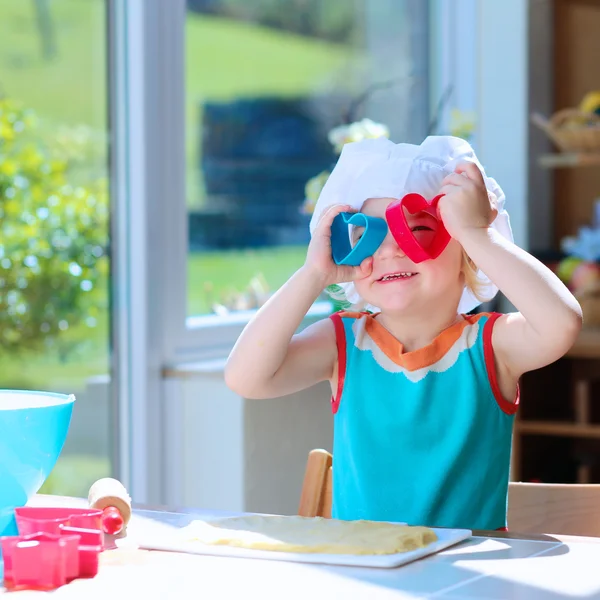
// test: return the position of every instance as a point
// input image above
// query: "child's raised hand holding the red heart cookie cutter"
(466, 205)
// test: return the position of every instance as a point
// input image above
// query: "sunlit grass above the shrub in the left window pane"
(71, 88)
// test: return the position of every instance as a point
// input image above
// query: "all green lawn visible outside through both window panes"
(224, 60)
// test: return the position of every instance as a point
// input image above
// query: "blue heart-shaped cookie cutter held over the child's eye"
(341, 248)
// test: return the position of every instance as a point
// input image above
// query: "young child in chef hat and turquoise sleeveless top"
(424, 395)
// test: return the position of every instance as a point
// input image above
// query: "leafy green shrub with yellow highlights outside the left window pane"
(53, 248)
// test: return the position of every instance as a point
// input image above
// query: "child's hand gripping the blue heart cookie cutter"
(319, 259)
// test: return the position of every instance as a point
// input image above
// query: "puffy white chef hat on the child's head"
(378, 168)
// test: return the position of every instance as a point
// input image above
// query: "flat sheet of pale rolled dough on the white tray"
(309, 535)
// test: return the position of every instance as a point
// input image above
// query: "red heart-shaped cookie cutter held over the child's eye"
(405, 238)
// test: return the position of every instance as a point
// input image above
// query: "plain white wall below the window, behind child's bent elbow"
(238, 454)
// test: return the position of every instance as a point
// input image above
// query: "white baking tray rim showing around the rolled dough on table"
(446, 538)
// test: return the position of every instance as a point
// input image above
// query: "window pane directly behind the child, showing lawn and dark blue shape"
(265, 82)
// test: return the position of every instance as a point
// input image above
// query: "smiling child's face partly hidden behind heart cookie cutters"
(397, 284)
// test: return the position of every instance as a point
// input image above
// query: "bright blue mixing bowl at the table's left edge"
(33, 429)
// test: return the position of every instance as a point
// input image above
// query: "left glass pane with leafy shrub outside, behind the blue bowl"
(54, 203)
